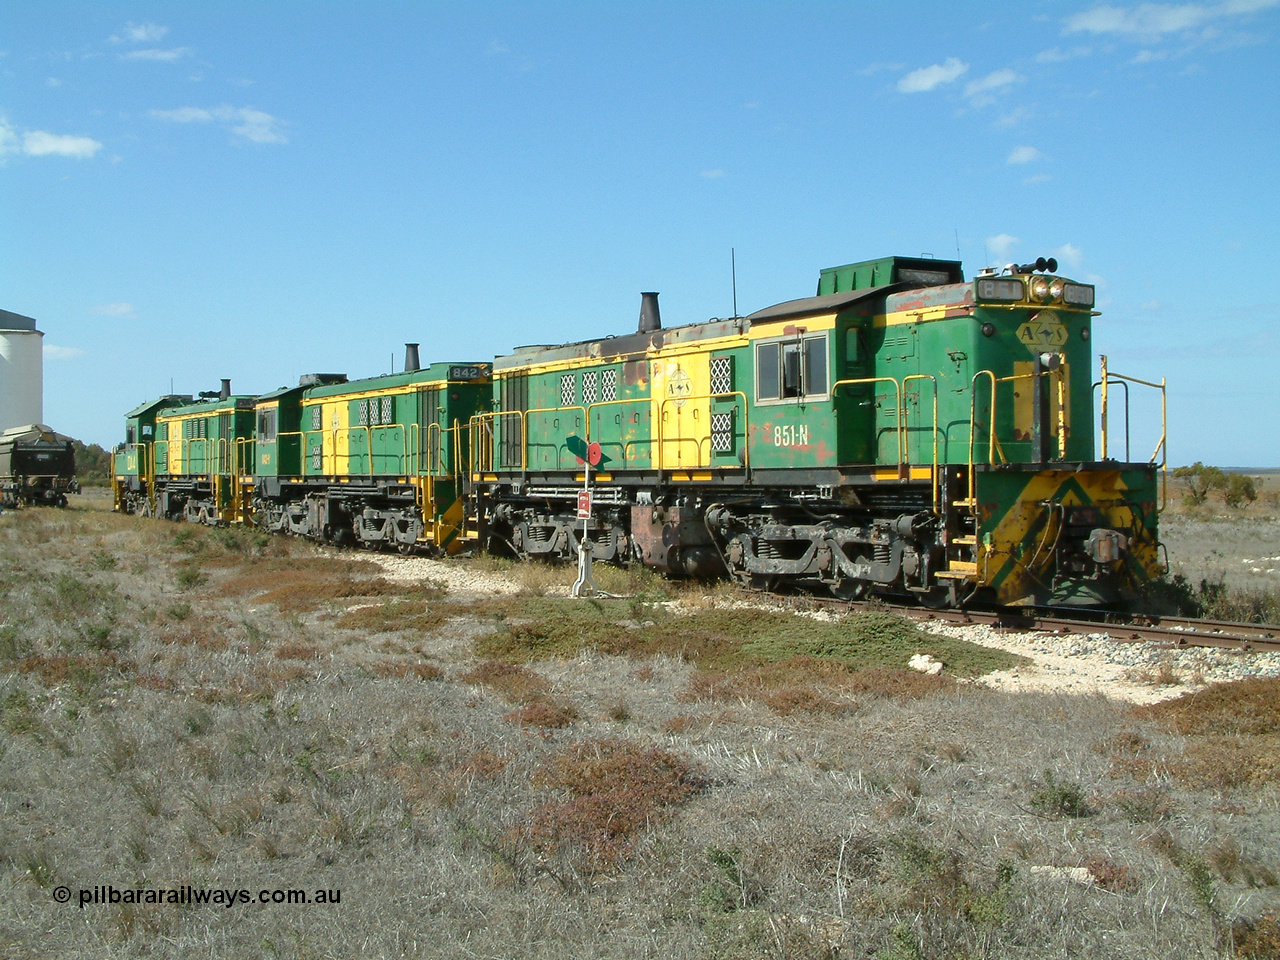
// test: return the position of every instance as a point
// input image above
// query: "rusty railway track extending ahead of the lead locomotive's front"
(1172, 632)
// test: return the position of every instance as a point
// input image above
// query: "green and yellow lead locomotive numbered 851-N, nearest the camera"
(903, 431)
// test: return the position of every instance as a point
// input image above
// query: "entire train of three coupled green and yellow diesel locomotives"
(903, 432)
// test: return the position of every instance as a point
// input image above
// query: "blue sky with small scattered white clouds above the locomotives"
(262, 190)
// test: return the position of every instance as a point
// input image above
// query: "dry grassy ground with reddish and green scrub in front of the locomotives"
(689, 780)
